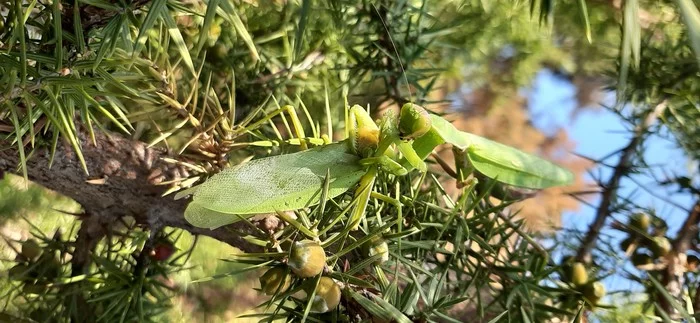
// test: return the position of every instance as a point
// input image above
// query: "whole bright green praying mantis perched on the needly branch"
(398, 146)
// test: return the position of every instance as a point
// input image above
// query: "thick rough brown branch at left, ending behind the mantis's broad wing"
(121, 182)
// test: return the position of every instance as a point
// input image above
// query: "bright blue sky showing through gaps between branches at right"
(597, 133)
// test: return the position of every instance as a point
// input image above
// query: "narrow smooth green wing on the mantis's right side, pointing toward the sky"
(495, 160)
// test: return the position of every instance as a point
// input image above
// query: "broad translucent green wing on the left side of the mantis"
(278, 183)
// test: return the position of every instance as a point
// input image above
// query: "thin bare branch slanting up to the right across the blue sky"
(610, 188)
